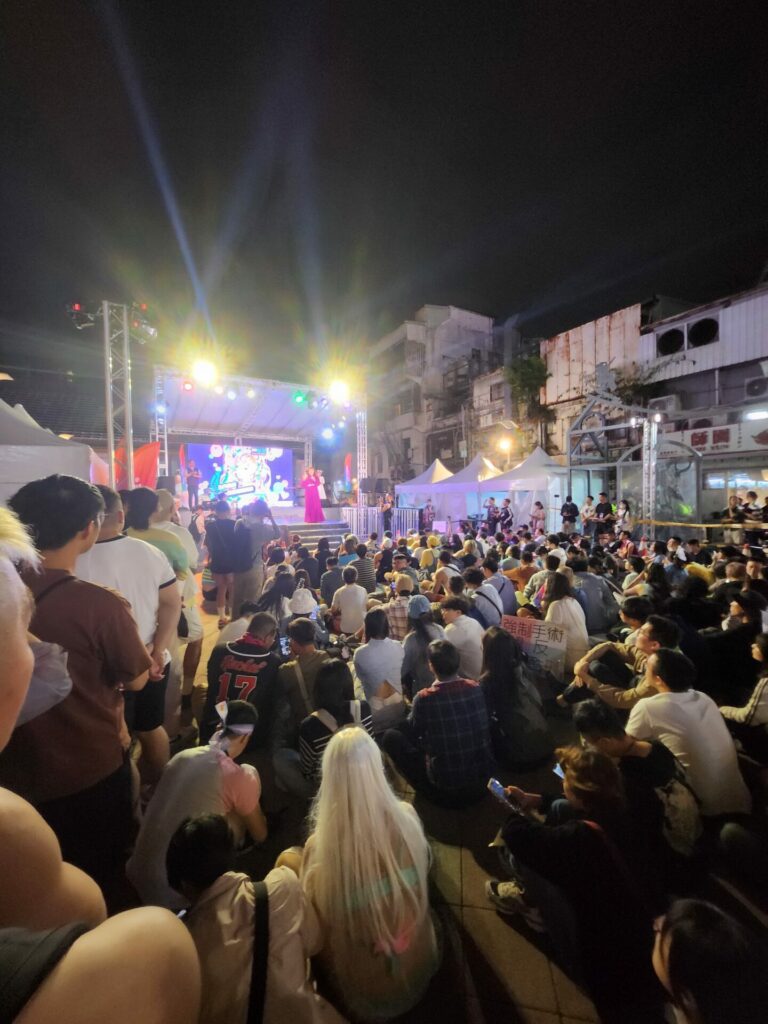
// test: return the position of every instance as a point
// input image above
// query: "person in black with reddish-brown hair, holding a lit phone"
(562, 871)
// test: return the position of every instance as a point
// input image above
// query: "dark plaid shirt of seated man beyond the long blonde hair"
(451, 721)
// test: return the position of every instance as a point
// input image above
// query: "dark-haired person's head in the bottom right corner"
(714, 971)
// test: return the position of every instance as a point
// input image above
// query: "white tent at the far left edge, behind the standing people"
(28, 452)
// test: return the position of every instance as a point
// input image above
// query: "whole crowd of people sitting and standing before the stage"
(338, 672)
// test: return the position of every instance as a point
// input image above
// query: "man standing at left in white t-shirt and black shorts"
(144, 576)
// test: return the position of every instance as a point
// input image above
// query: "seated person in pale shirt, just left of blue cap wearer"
(378, 667)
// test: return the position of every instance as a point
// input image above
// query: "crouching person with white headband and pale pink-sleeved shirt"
(200, 781)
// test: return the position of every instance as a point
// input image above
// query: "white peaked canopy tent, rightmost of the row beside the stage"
(537, 479)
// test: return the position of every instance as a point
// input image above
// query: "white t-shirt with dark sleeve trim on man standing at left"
(137, 570)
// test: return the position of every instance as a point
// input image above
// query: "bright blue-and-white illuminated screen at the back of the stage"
(242, 475)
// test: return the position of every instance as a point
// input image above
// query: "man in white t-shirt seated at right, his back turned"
(691, 726)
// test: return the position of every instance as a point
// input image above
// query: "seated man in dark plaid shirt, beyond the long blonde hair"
(444, 747)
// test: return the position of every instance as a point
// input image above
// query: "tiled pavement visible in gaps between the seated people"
(494, 968)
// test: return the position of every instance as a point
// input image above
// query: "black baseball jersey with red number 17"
(241, 671)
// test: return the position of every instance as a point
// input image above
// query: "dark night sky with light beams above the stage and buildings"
(335, 165)
